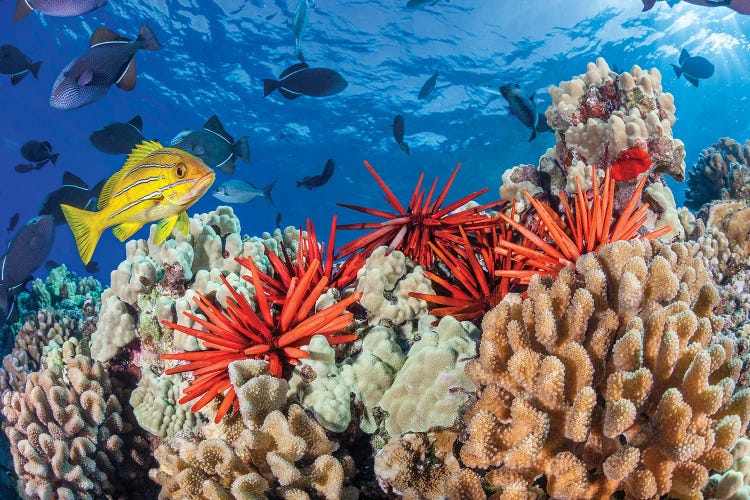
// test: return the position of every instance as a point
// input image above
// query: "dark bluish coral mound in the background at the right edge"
(721, 172)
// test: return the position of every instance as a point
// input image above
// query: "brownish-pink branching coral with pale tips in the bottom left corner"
(68, 437)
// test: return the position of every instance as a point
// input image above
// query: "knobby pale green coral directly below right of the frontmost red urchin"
(367, 377)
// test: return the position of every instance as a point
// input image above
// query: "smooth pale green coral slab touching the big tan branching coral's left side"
(431, 387)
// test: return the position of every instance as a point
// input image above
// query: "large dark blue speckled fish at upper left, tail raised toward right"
(109, 61)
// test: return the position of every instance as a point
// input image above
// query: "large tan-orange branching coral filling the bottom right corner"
(608, 378)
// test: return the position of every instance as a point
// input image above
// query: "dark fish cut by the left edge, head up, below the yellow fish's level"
(27, 251)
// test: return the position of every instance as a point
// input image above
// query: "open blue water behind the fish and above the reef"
(216, 54)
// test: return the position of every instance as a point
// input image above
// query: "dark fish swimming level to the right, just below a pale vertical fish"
(300, 79)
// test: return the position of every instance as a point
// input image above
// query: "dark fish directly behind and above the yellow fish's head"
(213, 145)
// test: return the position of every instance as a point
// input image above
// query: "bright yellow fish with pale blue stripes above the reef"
(155, 184)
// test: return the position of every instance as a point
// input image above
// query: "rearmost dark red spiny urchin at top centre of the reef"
(425, 219)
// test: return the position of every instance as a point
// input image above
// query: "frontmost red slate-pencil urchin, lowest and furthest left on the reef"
(241, 333)
